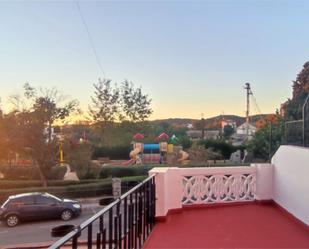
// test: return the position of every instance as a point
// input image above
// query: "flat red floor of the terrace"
(234, 226)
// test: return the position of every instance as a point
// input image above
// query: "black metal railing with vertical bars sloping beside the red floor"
(125, 223)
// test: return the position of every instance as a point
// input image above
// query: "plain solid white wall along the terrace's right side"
(291, 180)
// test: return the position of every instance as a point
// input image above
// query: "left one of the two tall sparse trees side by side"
(105, 102)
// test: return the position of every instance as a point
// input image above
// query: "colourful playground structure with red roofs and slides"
(160, 152)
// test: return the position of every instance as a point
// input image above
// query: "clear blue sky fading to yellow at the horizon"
(190, 57)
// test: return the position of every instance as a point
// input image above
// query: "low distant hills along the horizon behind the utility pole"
(210, 123)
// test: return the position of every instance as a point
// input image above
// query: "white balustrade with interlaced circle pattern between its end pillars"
(176, 187)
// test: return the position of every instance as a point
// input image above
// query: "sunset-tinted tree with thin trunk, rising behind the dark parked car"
(33, 125)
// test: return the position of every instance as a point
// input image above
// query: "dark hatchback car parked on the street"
(37, 206)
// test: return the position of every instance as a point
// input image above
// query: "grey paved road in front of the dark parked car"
(32, 232)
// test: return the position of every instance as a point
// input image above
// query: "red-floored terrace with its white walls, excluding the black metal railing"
(262, 206)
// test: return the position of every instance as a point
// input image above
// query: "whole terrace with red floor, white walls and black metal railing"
(259, 206)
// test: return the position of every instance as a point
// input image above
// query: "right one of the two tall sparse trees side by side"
(135, 104)
